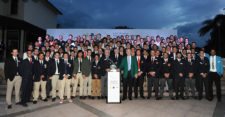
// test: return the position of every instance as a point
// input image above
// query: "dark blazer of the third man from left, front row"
(40, 69)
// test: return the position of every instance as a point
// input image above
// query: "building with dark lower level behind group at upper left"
(22, 21)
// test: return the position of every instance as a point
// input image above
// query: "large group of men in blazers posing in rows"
(52, 68)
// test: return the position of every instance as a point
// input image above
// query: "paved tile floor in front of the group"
(134, 108)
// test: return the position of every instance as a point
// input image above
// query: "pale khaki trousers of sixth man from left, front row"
(78, 79)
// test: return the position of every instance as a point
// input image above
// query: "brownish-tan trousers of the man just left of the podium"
(96, 87)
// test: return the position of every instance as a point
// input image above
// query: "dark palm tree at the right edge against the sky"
(216, 28)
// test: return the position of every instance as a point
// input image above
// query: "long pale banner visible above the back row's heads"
(112, 32)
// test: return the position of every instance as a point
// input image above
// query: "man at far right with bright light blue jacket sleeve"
(215, 74)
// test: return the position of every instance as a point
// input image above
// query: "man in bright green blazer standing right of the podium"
(130, 70)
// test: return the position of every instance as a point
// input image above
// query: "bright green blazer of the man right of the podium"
(124, 66)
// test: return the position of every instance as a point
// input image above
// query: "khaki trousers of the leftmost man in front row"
(16, 83)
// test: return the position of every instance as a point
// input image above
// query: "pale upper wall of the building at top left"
(39, 14)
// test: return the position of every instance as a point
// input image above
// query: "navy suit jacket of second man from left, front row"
(27, 69)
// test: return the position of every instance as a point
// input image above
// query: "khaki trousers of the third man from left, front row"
(36, 91)
